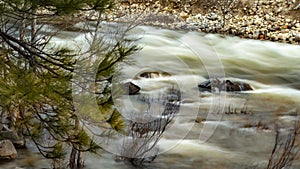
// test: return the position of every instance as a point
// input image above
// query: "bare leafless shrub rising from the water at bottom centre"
(146, 130)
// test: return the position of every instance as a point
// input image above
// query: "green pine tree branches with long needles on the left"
(36, 77)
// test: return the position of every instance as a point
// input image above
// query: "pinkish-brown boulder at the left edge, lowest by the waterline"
(7, 150)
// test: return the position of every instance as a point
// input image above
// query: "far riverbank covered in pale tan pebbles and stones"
(275, 20)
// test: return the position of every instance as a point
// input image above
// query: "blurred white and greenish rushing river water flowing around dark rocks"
(224, 139)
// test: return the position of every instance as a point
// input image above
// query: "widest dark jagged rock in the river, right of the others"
(225, 85)
